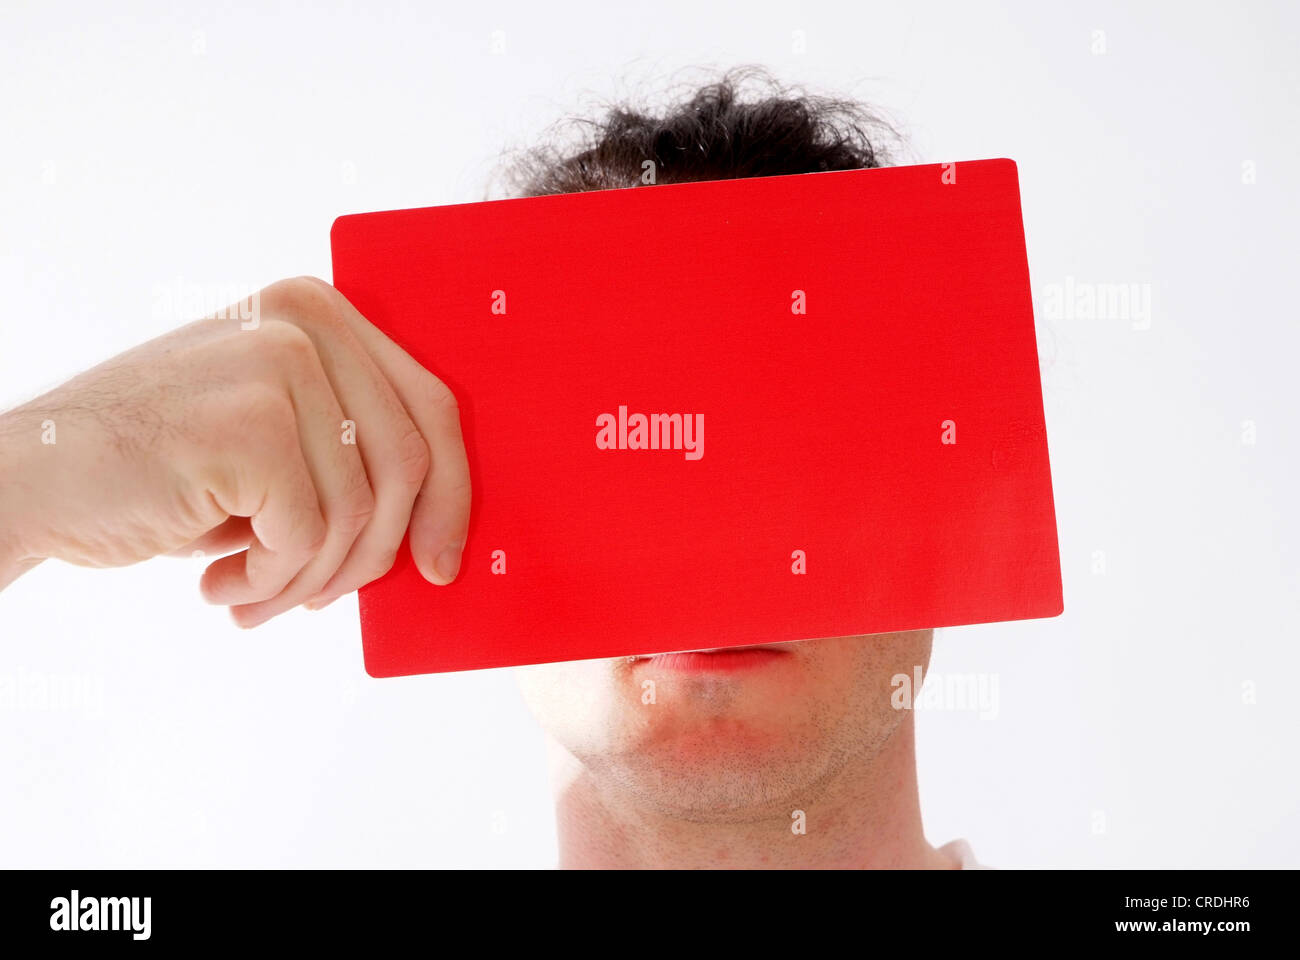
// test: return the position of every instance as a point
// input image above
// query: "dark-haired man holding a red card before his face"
(224, 438)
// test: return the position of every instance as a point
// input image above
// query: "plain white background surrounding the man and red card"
(149, 148)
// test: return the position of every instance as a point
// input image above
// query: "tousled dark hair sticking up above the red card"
(744, 124)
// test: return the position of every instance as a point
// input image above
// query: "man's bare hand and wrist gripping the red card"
(216, 438)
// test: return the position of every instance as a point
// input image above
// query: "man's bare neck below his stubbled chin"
(868, 818)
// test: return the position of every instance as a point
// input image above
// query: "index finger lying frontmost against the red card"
(440, 520)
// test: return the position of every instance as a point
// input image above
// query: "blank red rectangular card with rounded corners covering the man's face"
(843, 423)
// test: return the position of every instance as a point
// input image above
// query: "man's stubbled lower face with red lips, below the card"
(730, 733)
